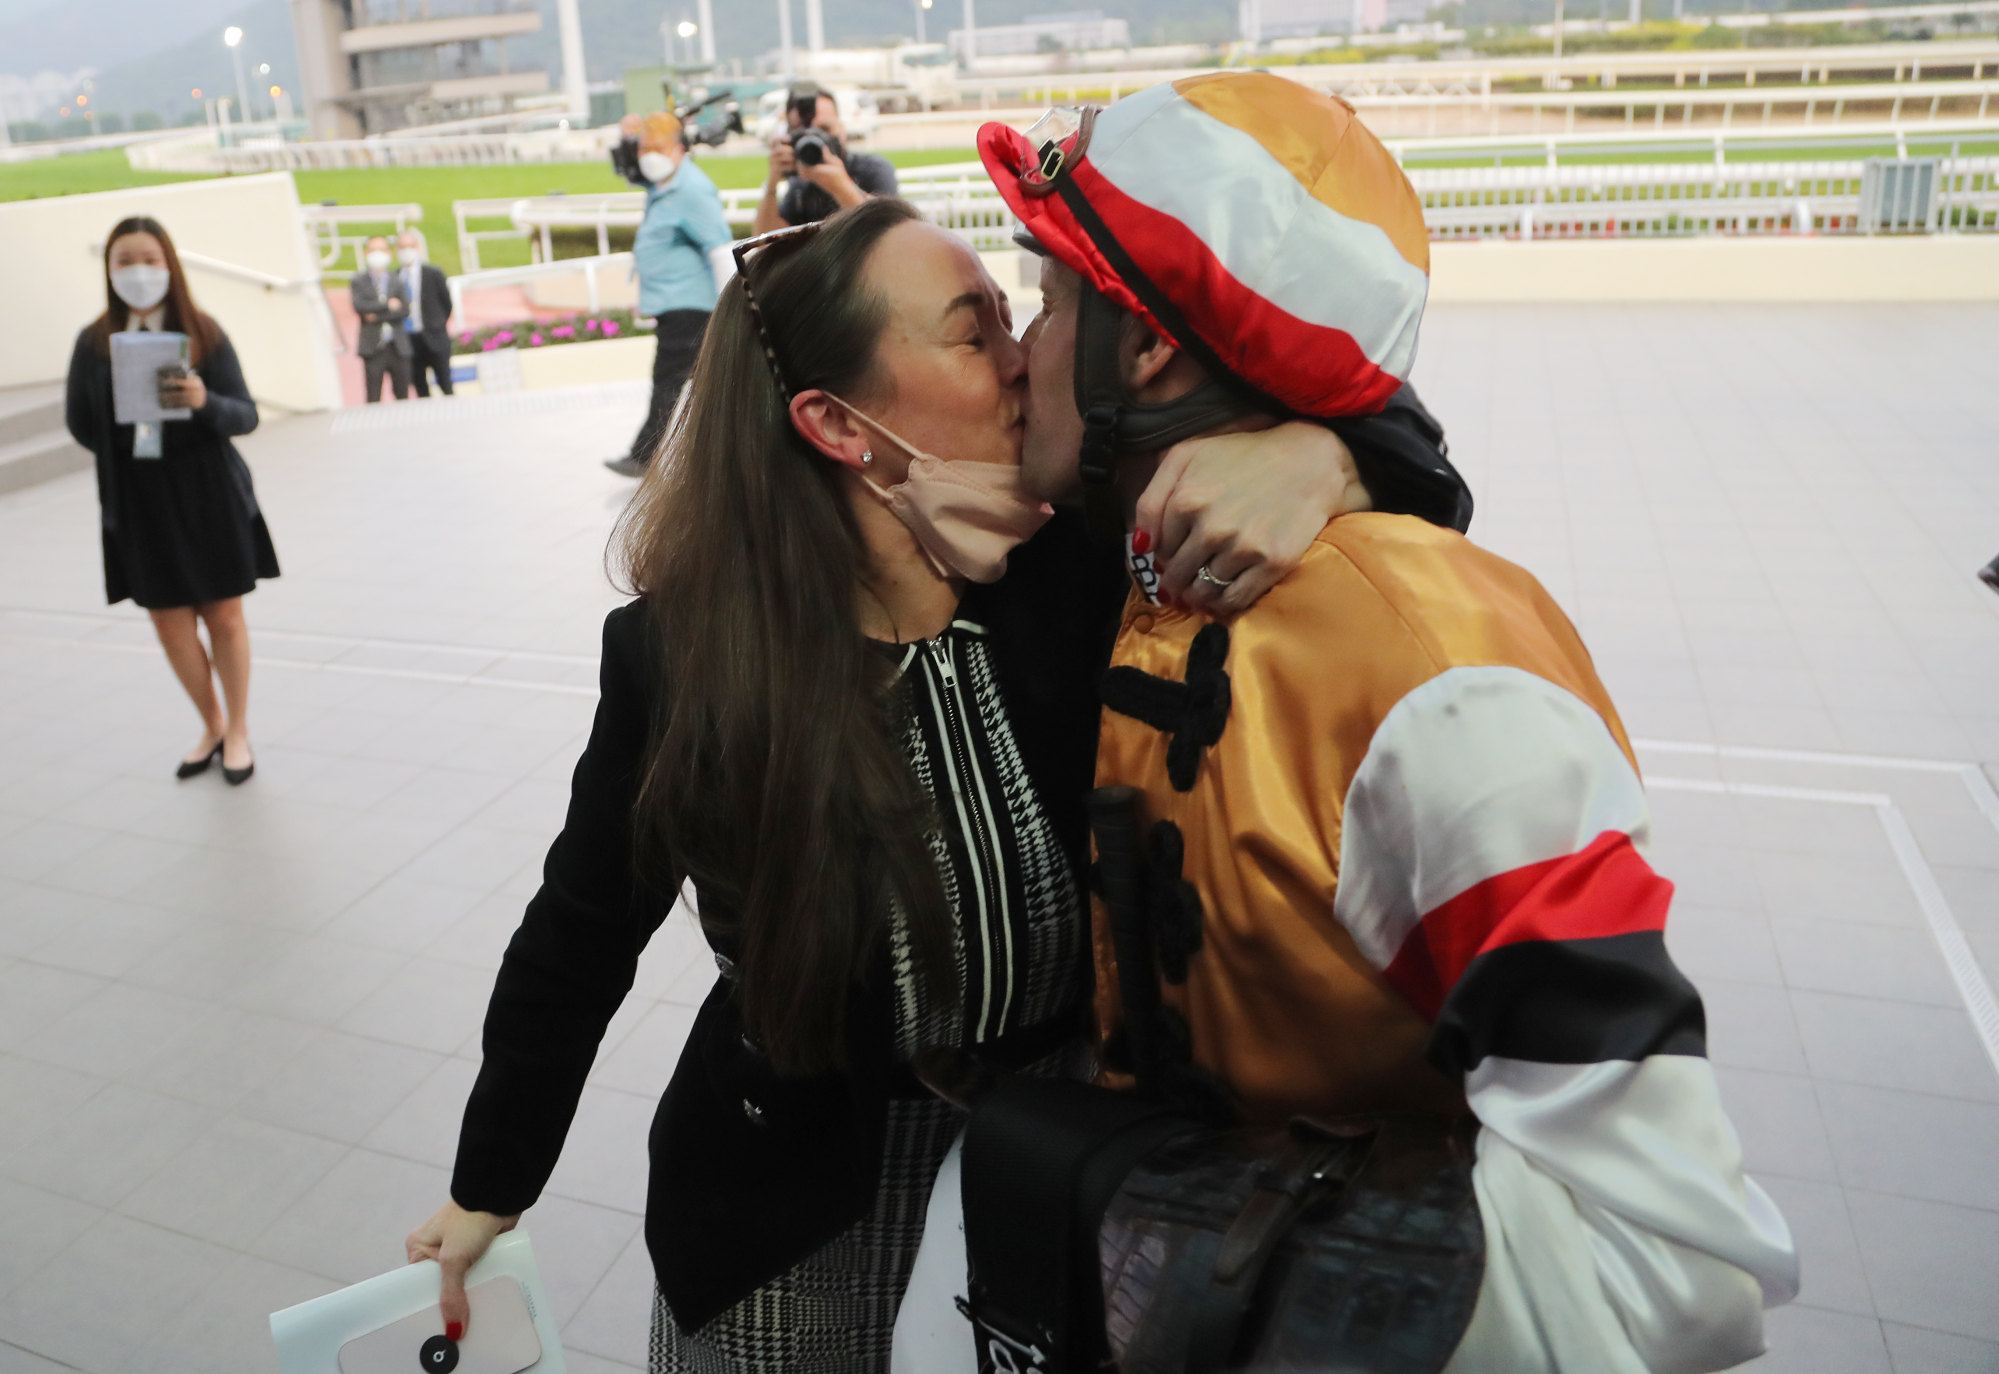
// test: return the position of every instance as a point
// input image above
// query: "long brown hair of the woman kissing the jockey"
(777, 779)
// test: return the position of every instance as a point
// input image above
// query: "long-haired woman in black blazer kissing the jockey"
(871, 759)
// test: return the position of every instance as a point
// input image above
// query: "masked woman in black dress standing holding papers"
(183, 531)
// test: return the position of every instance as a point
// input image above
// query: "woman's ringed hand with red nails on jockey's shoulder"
(1246, 507)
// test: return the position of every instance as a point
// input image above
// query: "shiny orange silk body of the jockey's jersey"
(1282, 1005)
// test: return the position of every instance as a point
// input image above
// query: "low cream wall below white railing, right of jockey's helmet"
(1736, 271)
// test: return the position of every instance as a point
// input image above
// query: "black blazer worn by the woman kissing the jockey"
(753, 1173)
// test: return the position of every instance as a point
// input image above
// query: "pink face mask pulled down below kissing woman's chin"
(967, 517)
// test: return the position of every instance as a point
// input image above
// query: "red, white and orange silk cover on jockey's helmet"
(1264, 213)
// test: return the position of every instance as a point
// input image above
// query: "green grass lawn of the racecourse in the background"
(435, 189)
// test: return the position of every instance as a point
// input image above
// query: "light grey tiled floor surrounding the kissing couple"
(237, 1027)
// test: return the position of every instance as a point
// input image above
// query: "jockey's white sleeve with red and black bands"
(1492, 863)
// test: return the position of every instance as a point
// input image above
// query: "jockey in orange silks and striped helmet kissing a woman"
(1402, 801)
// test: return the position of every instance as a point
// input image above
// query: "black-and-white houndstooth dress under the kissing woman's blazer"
(1020, 963)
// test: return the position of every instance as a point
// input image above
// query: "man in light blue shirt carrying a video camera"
(683, 257)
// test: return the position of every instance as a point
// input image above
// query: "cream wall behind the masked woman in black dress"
(57, 279)
